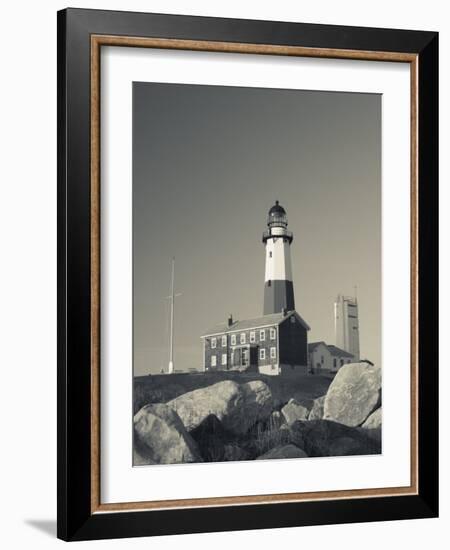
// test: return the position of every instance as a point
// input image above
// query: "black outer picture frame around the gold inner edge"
(75, 518)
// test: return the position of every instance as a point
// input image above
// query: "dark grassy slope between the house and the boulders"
(160, 388)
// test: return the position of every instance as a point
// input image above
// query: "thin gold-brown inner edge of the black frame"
(97, 41)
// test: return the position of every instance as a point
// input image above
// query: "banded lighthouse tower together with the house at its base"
(277, 341)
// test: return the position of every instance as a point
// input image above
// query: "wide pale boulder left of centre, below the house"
(237, 406)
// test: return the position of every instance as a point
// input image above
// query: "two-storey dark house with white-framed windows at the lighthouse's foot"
(272, 344)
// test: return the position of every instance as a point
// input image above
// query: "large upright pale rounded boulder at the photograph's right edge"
(354, 394)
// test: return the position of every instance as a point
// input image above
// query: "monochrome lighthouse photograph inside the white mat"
(256, 229)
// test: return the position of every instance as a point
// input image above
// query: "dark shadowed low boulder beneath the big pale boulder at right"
(328, 438)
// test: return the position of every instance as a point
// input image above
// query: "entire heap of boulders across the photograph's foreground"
(241, 421)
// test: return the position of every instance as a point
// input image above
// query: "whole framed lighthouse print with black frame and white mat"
(247, 261)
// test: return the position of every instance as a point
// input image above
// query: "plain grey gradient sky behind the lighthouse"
(208, 163)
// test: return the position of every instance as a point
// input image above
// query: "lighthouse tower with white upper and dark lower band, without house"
(278, 286)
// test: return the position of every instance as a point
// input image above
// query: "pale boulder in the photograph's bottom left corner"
(161, 437)
